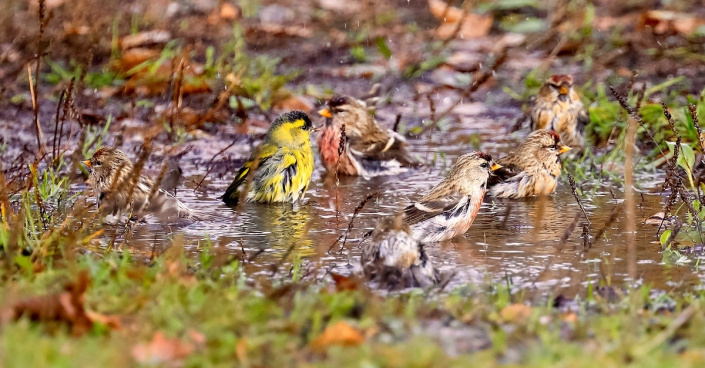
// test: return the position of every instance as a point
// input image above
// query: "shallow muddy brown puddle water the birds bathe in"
(515, 242)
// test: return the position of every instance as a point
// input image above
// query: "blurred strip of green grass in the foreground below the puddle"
(224, 319)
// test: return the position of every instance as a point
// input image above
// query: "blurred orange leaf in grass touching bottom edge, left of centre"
(161, 350)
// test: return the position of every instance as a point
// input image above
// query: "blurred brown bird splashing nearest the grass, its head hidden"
(394, 259)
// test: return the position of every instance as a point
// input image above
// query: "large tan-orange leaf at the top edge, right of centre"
(472, 26)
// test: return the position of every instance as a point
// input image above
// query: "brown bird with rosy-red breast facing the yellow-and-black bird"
(370, 150)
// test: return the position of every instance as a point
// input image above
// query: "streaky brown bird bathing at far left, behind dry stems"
(112, 179)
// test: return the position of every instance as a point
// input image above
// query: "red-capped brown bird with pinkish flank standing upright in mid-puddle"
(450, 207)
